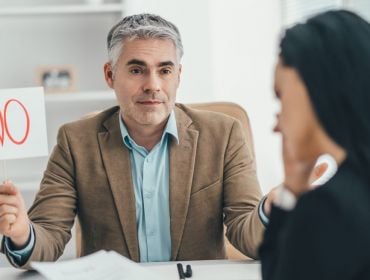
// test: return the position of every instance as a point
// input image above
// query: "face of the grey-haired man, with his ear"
(145, 80)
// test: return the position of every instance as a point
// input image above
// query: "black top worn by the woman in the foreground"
(327, 235)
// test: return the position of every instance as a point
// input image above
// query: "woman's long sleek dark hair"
(331, 53)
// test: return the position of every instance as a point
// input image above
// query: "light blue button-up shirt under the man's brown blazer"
(150, 172)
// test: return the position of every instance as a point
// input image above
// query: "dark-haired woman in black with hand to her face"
(323, 82)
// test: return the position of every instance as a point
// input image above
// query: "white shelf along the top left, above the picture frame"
(62, 9)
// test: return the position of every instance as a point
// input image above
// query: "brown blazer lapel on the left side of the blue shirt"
(117, 163)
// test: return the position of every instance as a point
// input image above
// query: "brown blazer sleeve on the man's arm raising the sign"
(54, 209)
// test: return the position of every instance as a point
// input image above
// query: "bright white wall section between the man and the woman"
(244, 46)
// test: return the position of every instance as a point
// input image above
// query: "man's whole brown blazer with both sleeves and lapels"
(212, 181)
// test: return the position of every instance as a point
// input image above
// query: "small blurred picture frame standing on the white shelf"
(57, 78)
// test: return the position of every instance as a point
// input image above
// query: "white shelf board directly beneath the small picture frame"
(80, 96)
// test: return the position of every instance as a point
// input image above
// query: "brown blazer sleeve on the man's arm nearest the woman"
(242, 195)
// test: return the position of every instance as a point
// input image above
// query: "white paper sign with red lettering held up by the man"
(22, 123)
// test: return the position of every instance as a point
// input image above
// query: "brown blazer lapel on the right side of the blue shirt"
(182, 160)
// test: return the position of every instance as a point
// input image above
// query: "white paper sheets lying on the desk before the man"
(100, 265)
